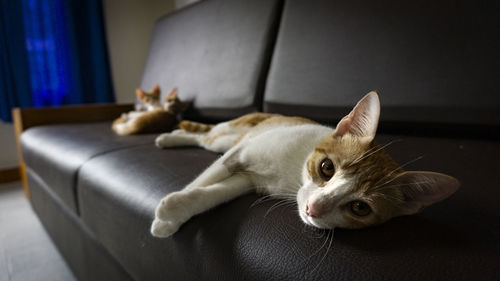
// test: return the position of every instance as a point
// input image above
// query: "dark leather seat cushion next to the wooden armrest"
(56, 152)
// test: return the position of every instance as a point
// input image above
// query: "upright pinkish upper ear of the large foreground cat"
(362, 121)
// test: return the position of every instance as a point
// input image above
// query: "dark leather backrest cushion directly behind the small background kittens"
(217, 53)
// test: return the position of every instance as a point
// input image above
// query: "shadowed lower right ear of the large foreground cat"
(422, 189)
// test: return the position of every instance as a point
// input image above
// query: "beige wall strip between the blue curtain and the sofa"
(129, 24)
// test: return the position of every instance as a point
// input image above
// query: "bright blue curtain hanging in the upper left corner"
(59, 54)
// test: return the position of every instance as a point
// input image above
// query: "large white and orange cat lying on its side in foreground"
(338, 177)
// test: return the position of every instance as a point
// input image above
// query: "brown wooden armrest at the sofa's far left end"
(25, 118)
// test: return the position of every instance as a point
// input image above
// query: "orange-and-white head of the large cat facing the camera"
(350, 182)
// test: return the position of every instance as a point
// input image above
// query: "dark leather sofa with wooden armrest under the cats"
(436, 66)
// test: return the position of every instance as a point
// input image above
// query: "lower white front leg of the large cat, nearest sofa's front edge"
(178, 207)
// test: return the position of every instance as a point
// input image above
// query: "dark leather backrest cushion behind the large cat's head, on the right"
(434, 63)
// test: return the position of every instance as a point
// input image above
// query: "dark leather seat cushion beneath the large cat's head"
(456, 239)
